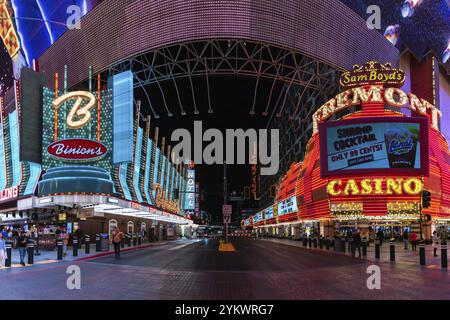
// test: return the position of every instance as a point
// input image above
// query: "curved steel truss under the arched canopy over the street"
(300, 76)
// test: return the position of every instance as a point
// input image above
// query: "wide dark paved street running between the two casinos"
(195, 269)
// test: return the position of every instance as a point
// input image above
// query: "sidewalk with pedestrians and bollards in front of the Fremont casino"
(401, 255)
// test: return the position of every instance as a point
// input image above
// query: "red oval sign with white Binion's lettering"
(77, 150)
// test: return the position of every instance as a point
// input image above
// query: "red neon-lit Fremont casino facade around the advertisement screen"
(363, 198)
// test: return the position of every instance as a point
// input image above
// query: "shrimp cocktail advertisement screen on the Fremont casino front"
(359, 146)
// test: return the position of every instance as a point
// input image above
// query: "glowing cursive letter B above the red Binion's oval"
(78, 116)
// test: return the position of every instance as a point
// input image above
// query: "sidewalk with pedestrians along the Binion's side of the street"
(46, 257)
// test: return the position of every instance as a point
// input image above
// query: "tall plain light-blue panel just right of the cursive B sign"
(123, 100)
